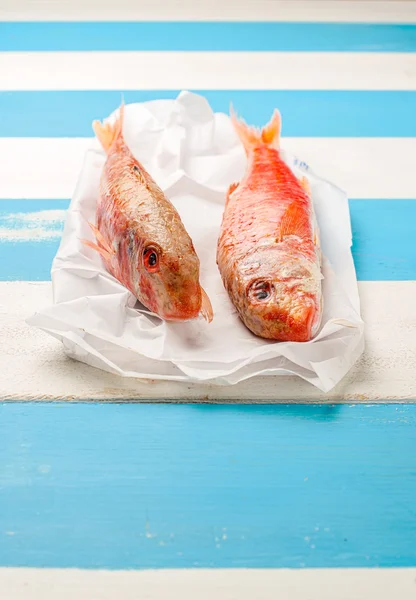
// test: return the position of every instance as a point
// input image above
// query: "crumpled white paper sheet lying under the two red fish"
(194, 155)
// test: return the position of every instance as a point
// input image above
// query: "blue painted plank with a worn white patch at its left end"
(383, 232)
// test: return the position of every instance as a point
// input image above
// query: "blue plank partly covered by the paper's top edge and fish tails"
(305, 113)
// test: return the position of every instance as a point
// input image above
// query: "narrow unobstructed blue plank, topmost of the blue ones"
(317, 37)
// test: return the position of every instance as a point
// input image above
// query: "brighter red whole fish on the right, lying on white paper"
(268, 251)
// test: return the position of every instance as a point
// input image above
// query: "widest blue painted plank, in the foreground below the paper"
(140, 486)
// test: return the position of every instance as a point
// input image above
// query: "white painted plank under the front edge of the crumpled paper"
(38, 369)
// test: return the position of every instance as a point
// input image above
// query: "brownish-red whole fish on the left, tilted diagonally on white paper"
(141, 237)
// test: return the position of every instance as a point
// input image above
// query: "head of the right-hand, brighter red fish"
(283, 301)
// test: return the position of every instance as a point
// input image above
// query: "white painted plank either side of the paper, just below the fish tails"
(365, 167)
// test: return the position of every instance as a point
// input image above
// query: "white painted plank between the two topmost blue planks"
(21, 71)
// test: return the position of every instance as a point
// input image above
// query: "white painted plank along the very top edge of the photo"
(371, 11)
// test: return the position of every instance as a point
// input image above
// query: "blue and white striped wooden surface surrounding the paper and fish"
(311, 499)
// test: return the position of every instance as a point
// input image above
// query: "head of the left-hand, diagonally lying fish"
(169, 280)
